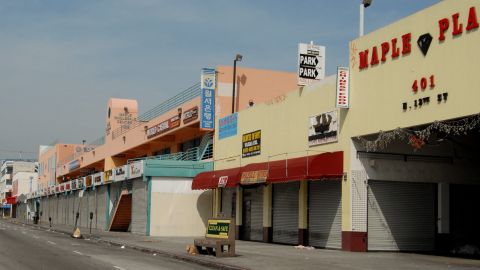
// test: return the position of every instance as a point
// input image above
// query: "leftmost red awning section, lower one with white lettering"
(214, 179)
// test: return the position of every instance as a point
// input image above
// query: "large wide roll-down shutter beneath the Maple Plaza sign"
(401, 216)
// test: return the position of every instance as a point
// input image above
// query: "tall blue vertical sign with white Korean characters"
(207, 112)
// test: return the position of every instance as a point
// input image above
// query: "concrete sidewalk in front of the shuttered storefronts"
(254, 255)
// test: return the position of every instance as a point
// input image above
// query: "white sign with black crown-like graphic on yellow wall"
(323, 128)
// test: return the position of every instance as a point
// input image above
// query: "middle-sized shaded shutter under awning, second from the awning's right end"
(285, 213)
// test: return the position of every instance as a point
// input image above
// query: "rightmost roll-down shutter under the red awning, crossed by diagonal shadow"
(325, 214)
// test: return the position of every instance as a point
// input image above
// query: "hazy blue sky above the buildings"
(61, 60)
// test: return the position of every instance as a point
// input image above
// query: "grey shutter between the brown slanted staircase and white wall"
(139, 206)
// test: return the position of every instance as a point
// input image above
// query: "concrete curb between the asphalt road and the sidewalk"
(173, 255)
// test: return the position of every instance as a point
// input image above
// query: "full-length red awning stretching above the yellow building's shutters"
(320, 166)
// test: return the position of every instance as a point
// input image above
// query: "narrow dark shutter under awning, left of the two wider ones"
(252, 213)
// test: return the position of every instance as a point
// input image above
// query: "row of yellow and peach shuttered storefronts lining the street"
(393, 168)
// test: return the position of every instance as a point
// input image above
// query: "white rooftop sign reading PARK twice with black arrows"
(311, 63)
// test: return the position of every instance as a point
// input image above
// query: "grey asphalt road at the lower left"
(23, 247)
